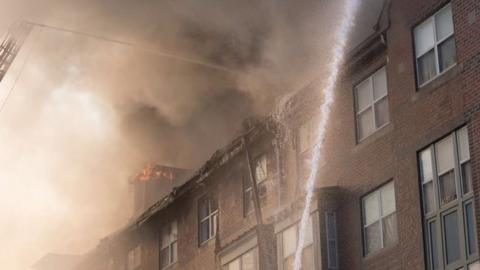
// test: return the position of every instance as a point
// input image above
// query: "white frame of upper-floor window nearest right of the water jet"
(372, 103)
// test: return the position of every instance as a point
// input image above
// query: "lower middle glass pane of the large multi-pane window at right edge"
(452, 241)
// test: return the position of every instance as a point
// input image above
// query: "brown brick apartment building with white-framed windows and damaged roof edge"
(399, 184)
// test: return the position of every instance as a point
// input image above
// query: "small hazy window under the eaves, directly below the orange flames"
(168, 245)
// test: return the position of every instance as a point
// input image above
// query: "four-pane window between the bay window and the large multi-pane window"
(379, 219)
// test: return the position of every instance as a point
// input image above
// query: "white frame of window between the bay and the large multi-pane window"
(380, 219)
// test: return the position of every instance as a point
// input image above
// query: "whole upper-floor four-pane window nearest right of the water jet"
(371, 104)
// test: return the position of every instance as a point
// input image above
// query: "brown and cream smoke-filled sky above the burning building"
(86, 113)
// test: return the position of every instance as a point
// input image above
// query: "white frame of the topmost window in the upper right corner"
(435, 46)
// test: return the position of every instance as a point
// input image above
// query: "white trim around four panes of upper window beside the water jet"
(371, 105)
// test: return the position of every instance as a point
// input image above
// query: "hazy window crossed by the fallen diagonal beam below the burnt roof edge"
(261, 175)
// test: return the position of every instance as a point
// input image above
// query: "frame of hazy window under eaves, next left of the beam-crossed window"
(211, 217)
